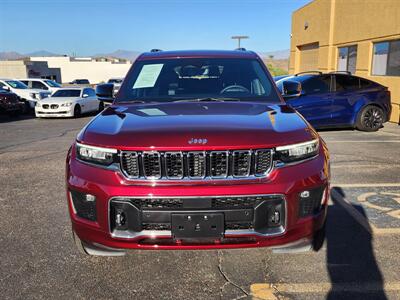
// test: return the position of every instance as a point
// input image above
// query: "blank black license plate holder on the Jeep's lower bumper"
(197, 225)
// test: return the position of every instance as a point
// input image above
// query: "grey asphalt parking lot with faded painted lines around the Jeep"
(360, 258)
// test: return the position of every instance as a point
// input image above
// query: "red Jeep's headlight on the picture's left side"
(97, 155)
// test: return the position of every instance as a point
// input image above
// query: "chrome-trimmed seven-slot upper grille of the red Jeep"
(196, 164)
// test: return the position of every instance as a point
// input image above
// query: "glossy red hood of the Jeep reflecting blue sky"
(171, 126)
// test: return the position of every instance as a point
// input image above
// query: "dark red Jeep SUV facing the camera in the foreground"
(198, 150)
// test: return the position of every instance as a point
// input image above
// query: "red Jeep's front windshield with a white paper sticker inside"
(222, 79)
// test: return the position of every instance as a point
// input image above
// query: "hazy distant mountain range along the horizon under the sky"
(125, 54)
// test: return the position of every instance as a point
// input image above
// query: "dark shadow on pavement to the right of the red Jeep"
(351, 263)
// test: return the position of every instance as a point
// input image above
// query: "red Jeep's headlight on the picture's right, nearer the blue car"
(297, 152)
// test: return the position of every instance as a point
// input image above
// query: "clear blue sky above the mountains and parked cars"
(102, 26)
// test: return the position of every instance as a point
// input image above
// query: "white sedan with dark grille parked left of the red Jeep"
(69, 102)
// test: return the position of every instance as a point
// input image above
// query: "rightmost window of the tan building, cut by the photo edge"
(386, 58)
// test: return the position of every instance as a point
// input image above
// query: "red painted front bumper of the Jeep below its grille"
(288, 183)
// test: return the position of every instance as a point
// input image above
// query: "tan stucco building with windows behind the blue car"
(360, 36)
